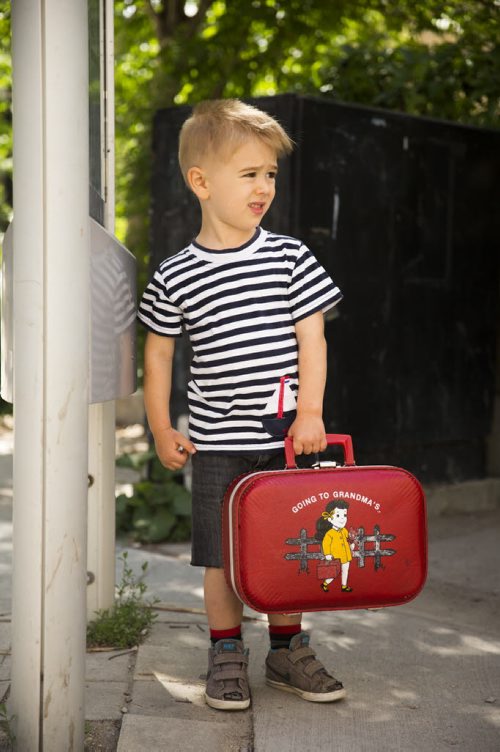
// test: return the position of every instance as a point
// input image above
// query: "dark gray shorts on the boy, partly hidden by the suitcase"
(212, 474)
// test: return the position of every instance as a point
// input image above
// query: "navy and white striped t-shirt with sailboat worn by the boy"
(239, 308)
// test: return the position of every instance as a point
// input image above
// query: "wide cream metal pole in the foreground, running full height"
(51, 329)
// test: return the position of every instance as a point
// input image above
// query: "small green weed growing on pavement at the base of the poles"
(128, 621)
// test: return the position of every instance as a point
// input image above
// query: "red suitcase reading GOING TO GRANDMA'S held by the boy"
(332, 537)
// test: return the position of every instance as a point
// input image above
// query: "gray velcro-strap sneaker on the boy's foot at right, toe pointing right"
(298, 670)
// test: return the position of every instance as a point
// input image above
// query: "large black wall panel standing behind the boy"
(402, 212)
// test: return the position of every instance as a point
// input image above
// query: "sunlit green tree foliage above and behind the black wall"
(438, 59)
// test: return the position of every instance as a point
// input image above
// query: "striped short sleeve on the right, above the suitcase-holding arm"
(311, 288)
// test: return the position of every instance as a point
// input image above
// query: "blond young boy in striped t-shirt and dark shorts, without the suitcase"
(252, 303)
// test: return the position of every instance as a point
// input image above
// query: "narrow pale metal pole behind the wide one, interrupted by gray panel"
(101, 506)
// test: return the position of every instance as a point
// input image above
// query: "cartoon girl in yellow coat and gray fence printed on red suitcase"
(338, 545)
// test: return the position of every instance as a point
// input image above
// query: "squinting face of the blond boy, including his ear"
(239, 189)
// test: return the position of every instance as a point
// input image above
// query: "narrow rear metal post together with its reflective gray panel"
(113, 303)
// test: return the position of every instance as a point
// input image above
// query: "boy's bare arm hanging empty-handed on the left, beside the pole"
(158, 357)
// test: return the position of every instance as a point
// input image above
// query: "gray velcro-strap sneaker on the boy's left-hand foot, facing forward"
(227, 678)
